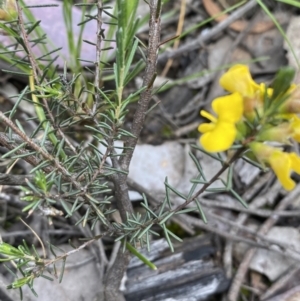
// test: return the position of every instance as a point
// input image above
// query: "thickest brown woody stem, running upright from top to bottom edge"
(116, 272)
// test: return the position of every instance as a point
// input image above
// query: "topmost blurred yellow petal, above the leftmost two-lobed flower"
(238, 79)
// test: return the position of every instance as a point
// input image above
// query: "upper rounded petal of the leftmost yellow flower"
(229, 108)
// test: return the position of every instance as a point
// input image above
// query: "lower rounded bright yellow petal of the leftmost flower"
(220, 138)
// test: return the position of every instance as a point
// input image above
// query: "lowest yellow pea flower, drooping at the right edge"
(281, 163)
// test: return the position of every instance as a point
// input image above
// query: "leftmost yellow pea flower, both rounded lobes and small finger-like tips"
(220, 134)
